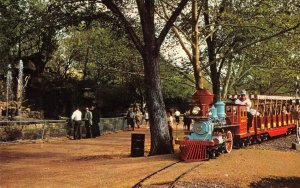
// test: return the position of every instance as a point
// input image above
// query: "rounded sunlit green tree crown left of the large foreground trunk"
(107, 59)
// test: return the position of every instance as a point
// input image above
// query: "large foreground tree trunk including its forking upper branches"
(149, 49)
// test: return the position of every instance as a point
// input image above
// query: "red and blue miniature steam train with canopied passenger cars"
(221, 126)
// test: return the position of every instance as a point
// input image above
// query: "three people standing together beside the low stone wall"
(91, 127)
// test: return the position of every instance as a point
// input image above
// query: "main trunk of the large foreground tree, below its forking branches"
(160, 137)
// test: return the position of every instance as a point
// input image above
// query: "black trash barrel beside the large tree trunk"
(137, 145)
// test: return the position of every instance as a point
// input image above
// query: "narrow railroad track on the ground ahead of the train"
(184, 168)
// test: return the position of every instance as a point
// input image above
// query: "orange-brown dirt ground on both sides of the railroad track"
(105, 162)
